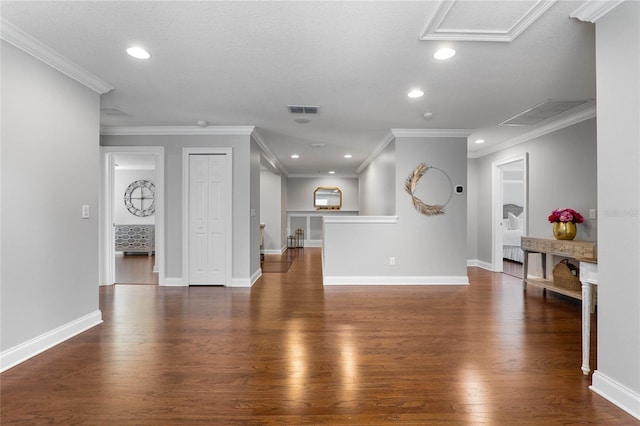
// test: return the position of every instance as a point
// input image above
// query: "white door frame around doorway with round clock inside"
(107, 197)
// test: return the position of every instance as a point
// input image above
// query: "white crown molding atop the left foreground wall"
(23, 41)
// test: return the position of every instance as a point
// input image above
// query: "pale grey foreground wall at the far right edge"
(618, 93)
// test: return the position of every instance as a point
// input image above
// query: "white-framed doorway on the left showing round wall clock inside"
(131, 229)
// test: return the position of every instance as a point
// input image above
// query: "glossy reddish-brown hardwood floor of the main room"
(290, 351)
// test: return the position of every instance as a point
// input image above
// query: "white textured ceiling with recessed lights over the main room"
(241, 63)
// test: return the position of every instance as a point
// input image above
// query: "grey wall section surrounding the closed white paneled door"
(242, 197)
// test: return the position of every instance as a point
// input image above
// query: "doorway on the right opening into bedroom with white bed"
(510, 214)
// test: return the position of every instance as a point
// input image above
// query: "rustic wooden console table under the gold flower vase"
(579, 250)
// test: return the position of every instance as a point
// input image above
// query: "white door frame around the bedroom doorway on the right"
(496, 206)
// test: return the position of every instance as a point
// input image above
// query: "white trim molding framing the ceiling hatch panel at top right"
(434, 32)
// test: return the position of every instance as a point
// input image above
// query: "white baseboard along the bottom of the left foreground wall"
(18, 354)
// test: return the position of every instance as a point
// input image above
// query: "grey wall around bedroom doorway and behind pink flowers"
(562, 173)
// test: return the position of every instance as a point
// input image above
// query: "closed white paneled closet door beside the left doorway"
(207, 219)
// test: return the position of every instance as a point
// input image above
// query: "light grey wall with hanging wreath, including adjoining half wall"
(426, 249)
